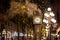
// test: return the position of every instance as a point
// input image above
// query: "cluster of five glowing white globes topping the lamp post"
(49, 15)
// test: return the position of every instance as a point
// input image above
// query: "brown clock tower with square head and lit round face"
(37, 21)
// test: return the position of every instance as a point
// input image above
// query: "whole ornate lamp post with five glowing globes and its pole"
(49, 18)
